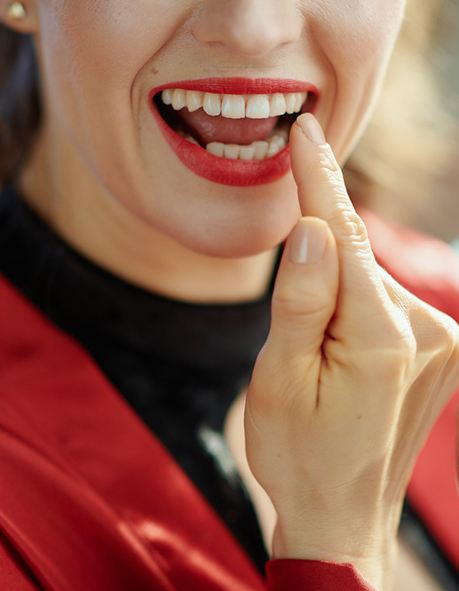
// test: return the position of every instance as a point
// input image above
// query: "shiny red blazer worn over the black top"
(91, 500)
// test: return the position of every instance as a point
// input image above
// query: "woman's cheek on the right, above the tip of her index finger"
(355, 38)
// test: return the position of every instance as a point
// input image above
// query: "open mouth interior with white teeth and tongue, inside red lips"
(234, 126)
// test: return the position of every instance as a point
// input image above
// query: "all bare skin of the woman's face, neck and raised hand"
(103, 177)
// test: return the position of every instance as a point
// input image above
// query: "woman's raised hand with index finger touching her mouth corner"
(353, 374)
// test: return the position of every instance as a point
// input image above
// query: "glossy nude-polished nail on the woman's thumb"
(307, 243)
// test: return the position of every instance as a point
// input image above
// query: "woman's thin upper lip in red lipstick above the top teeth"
(241, 86)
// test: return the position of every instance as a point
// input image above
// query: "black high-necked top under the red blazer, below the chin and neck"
(178, 364)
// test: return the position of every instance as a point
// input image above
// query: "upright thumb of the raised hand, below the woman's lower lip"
(305, 290)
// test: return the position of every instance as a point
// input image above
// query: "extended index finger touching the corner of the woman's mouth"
(322, 193)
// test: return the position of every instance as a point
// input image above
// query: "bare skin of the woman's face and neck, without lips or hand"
(103, 175)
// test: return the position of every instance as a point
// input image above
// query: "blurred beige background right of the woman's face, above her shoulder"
(407, 167)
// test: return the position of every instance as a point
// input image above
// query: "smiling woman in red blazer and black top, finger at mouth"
(137, 262)
